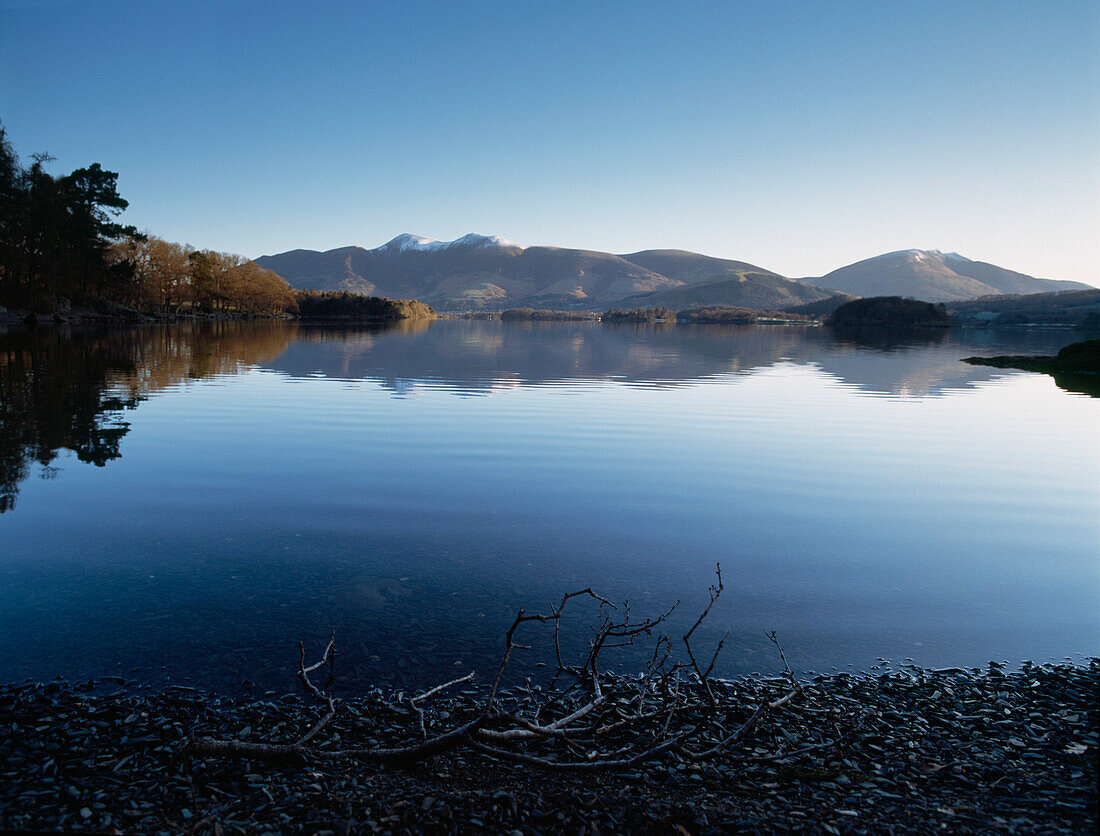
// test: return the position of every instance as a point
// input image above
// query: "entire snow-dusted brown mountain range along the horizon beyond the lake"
(490, 273)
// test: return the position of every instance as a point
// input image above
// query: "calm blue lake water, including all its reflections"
(190, 502)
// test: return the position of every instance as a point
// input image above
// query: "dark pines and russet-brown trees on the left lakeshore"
(61, 244)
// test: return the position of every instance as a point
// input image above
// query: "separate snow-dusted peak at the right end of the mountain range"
(934, 277)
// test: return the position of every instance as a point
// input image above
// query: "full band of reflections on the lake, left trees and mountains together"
(64, 390)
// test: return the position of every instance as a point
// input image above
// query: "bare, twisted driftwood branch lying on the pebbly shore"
(600, 723)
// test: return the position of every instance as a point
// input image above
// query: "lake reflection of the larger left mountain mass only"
(478, 357)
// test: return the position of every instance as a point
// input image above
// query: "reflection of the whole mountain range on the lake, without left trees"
(477, 358)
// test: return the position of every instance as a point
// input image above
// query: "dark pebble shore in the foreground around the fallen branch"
(951, 751)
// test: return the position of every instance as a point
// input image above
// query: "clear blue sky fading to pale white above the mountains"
(797, 136)
